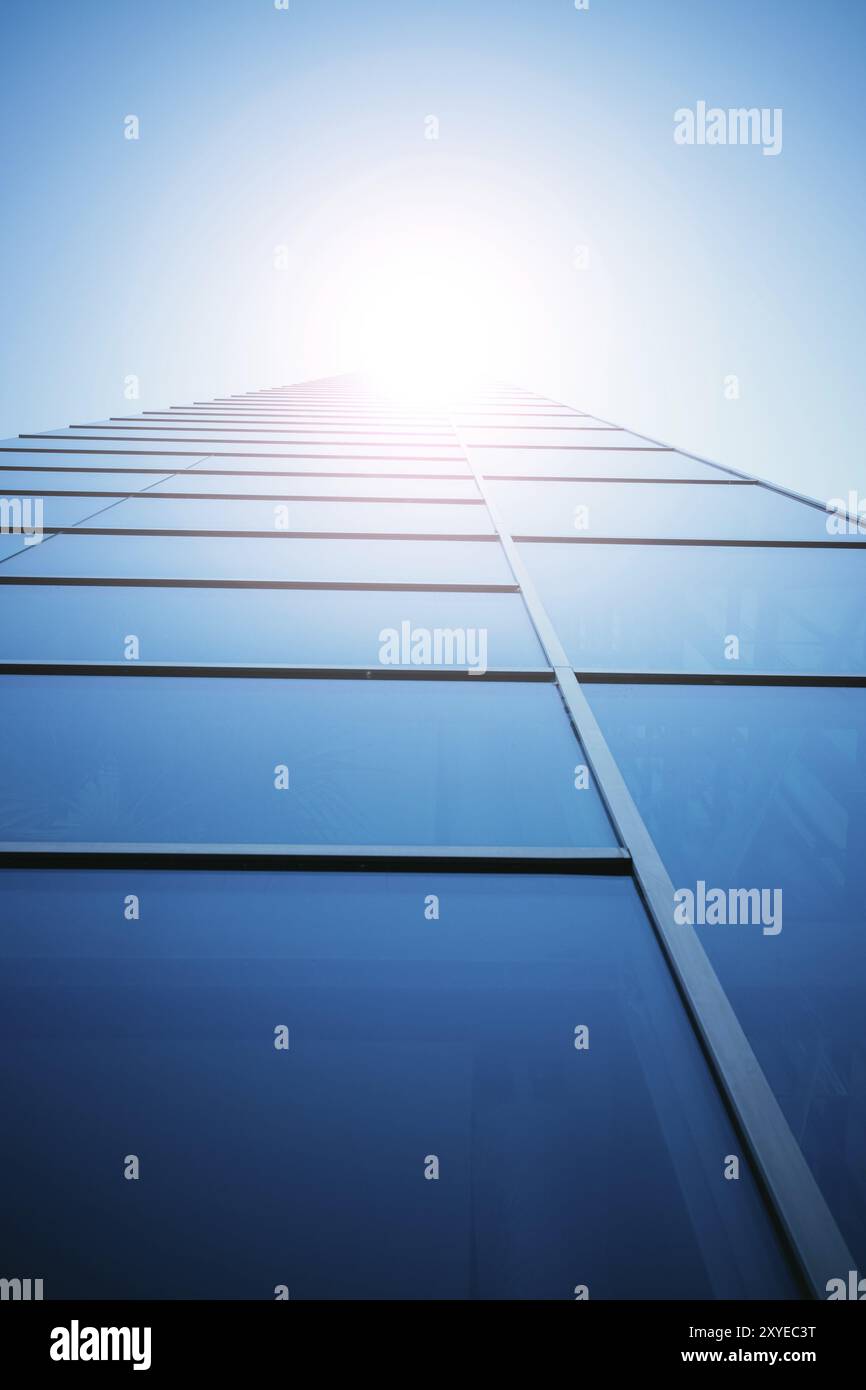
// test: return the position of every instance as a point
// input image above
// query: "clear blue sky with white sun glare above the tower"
(307, 131)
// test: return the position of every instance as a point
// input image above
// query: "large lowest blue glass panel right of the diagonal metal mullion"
(767, 789)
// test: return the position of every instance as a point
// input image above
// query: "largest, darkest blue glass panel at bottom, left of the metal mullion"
(408, 1039)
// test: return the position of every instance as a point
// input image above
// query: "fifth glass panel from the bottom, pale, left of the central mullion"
(211, 515)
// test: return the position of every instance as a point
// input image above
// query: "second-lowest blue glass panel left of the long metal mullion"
(170, 760)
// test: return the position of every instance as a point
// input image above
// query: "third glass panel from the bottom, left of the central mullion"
(295, 628)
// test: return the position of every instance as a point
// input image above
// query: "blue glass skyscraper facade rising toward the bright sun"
(433, 849)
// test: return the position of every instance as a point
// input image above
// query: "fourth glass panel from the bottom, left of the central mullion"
(275, 561)
